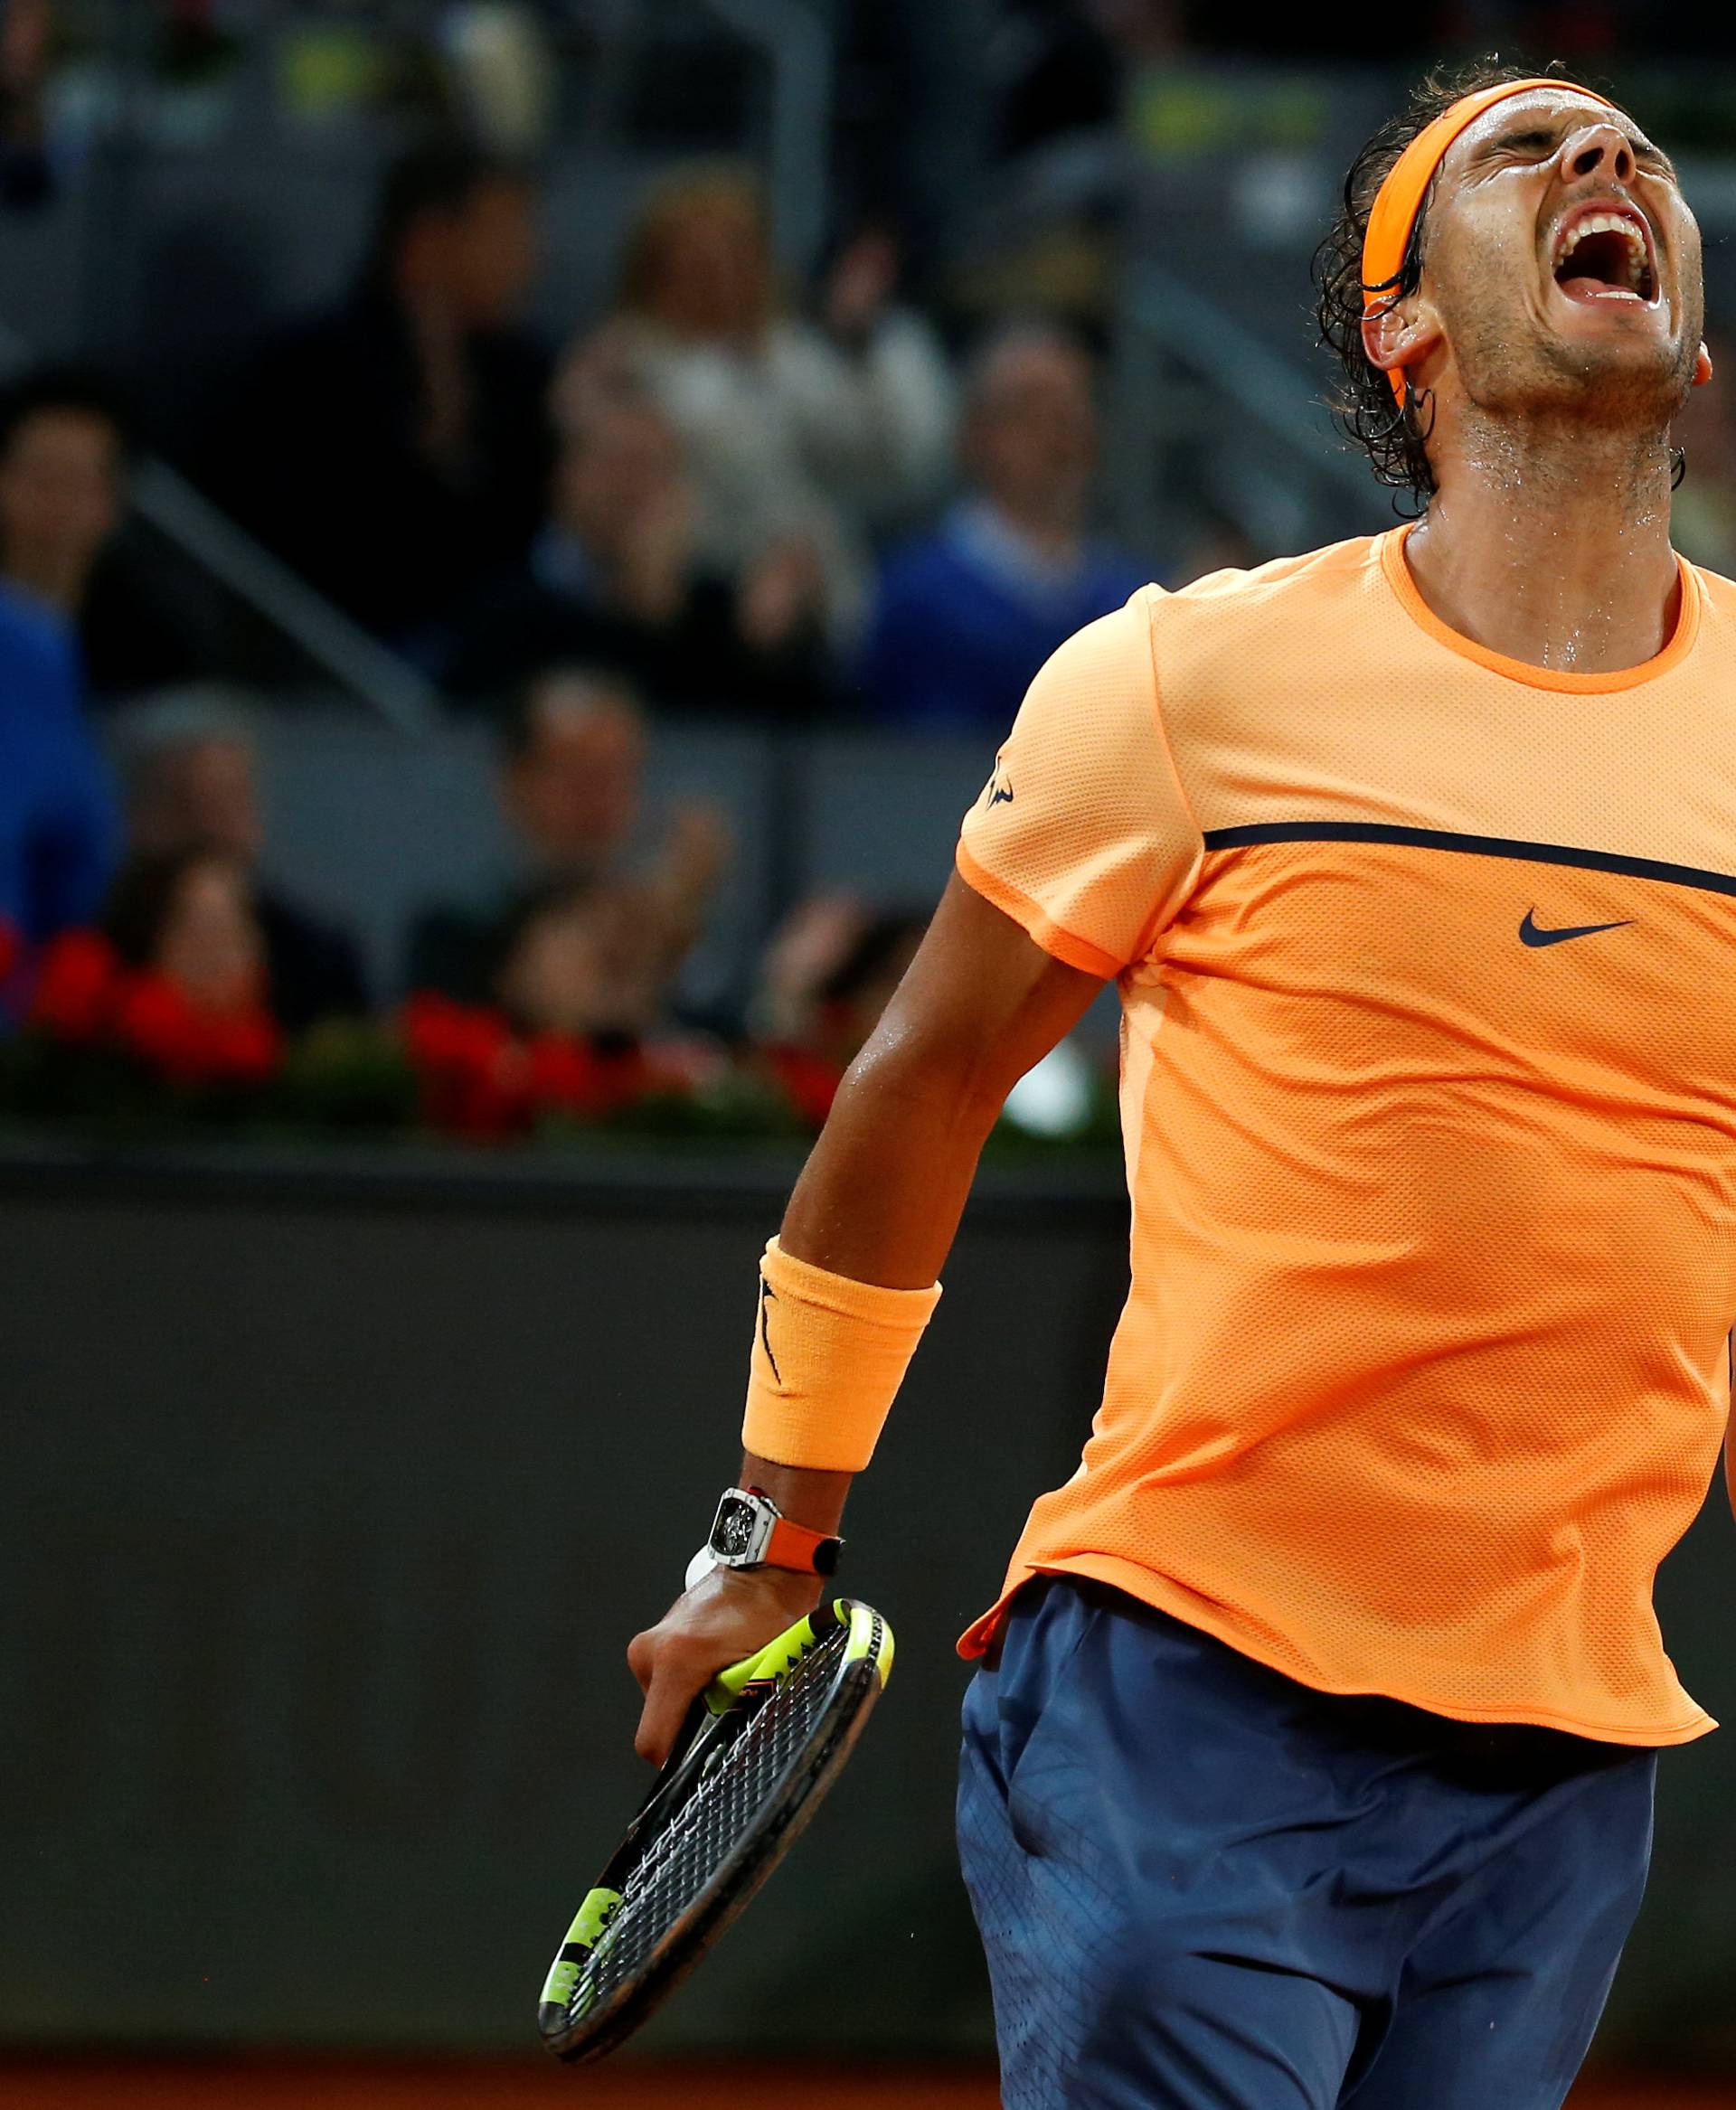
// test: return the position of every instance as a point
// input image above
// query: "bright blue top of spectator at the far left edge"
(58, 822)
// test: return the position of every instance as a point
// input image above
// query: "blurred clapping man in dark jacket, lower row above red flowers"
(573, 788)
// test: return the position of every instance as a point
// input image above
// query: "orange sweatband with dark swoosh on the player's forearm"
(828, 1360)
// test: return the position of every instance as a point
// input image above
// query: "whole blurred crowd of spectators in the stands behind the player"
(727, 499)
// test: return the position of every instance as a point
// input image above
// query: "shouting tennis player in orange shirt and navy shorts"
(1313, 1744)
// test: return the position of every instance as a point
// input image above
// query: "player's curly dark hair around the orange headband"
(1393, 438)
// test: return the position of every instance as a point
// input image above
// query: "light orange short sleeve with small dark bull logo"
(1083, 835)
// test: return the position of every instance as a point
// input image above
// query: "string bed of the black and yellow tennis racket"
(710, 1826)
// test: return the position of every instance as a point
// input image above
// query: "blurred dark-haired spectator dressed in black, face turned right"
(398, 453)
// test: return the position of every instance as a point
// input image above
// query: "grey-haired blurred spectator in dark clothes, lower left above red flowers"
(193, 792)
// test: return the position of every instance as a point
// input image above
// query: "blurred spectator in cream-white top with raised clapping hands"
(801, 436)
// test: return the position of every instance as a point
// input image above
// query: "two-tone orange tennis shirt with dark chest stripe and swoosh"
(1429, 1092)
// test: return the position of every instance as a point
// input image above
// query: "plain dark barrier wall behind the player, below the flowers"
(332, 1495)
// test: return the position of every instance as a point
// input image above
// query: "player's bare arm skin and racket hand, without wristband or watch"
(881, 1202)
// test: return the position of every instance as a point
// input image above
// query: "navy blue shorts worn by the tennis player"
(1208, 1887)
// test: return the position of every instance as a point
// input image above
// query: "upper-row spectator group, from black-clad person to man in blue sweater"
(739, 501)
